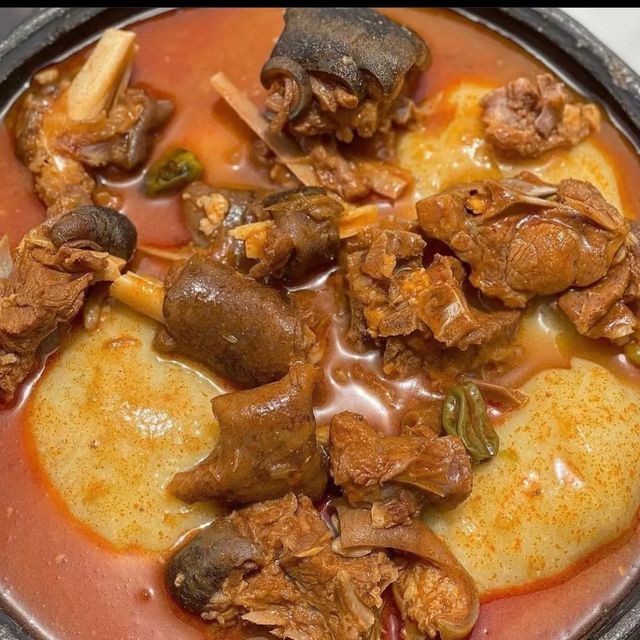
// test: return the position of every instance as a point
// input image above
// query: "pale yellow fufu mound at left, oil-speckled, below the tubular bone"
(112, 422)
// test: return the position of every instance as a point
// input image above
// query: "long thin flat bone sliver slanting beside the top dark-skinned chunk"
(287, 150)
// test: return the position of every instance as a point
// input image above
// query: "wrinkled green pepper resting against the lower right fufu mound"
(464, 414)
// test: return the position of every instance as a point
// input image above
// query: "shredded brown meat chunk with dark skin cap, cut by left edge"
(53, 267)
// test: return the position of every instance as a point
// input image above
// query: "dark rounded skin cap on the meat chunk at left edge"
(99, 228)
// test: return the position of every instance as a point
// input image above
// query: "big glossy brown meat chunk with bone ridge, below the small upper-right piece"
(519, 244)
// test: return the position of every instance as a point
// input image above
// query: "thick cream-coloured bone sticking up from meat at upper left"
(102, 77)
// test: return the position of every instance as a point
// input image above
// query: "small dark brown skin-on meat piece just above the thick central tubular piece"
(305, 235)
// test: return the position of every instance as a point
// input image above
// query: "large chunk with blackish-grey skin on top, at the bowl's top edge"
(340, 70)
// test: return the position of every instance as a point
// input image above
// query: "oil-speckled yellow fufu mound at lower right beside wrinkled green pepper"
(566, 480)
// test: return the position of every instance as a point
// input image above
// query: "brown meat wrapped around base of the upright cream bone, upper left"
(60, 153)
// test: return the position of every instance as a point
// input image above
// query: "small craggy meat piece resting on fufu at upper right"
(526, 119)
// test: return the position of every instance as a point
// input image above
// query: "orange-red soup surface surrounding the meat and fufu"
(67, 583)
